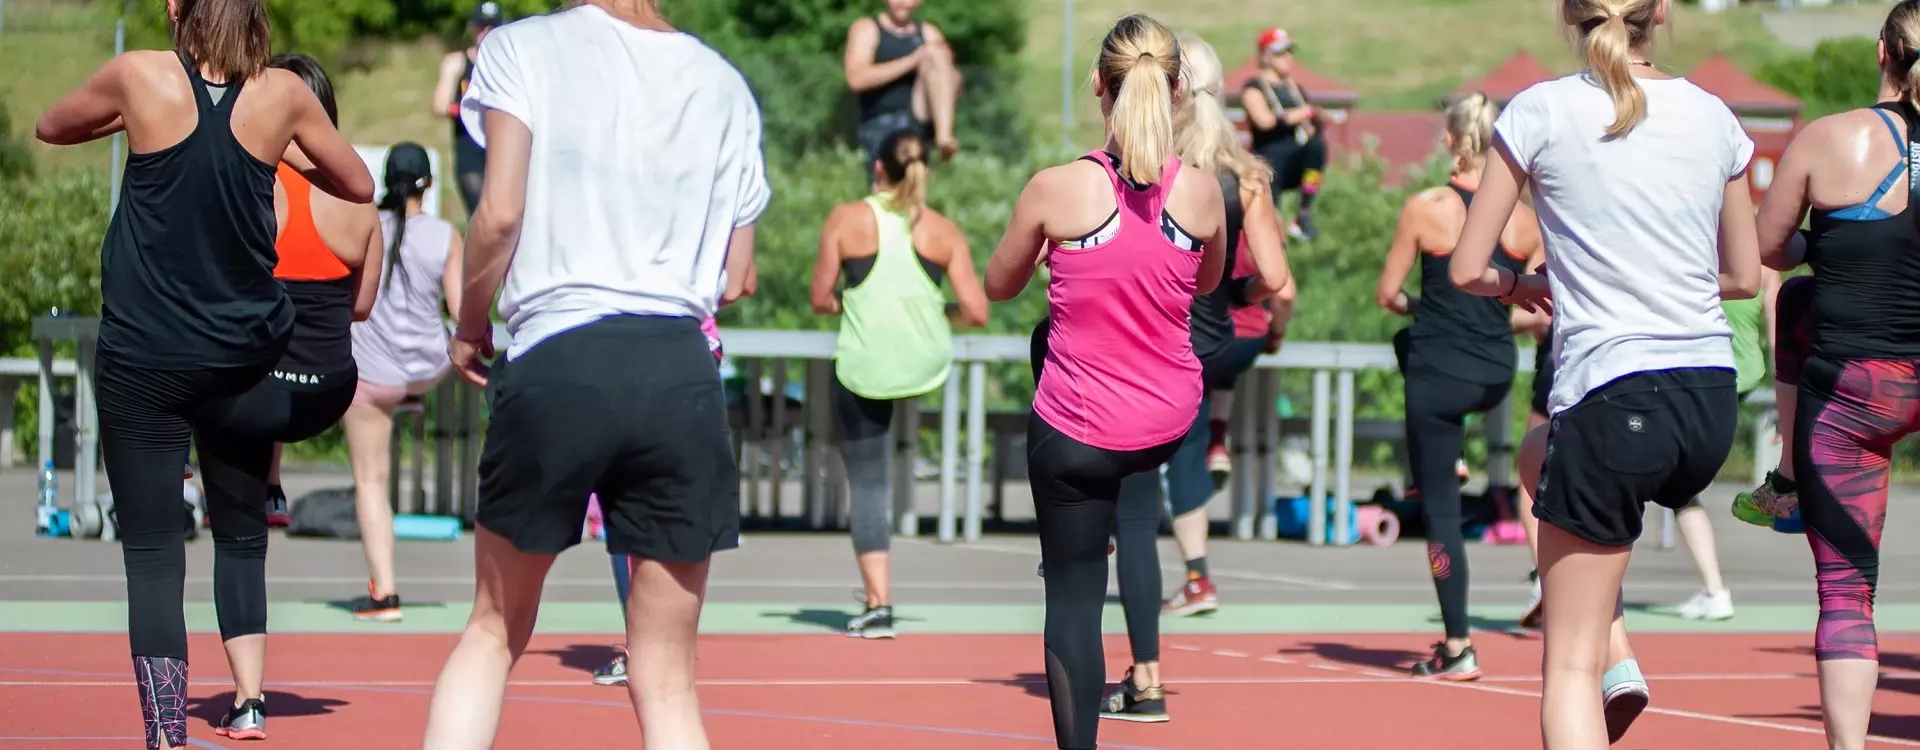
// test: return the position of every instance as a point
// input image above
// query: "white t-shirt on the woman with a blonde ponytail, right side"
(1631, 227)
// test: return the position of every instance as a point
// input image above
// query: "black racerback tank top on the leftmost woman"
(187, 266)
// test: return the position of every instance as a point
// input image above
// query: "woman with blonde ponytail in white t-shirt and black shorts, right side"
(1641, 185)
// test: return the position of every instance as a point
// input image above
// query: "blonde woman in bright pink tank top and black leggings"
(1130, 241)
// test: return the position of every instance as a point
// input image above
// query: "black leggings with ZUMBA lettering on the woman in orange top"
(283, 410)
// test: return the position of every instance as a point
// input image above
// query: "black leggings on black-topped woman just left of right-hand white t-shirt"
(1437, 433)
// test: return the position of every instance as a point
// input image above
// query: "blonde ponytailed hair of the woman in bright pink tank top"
(1140, 66)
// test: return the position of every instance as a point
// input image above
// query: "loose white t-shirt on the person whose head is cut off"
(646, 156)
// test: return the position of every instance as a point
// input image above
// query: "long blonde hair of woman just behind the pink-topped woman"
(1203, 135)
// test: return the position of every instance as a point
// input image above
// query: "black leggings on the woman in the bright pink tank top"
(1076, 490)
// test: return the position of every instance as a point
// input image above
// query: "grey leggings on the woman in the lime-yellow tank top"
(865, 427)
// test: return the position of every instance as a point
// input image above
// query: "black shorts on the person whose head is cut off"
(627, 408)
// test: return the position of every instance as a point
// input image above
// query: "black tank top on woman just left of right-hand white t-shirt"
(1456, 333)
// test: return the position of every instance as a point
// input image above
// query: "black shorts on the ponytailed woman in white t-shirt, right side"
(1644, 438)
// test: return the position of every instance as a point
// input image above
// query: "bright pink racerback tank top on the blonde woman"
(1120, 363)
